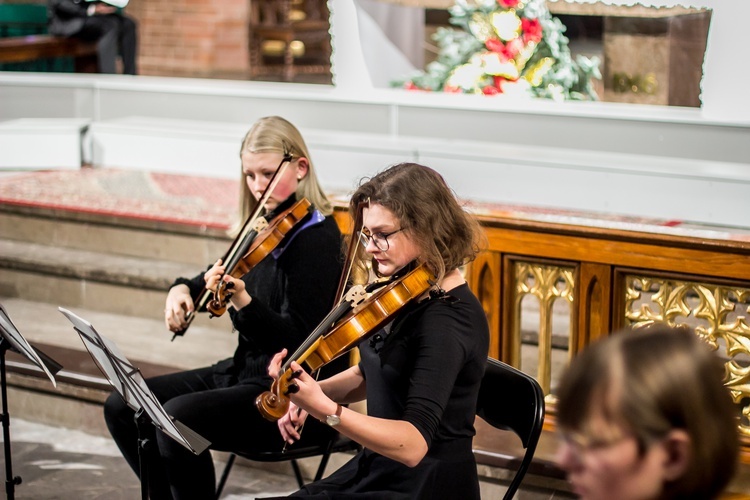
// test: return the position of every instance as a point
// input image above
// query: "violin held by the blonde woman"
(262, 246)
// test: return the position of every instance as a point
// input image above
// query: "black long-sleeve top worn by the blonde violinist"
(290, 294)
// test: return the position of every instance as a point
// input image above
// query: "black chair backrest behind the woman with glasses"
(512, 400)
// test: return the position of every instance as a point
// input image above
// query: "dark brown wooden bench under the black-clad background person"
(34, 47)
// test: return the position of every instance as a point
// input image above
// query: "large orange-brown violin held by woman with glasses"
(361, 322)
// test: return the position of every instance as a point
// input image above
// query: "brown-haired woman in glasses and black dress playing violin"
(421, 369)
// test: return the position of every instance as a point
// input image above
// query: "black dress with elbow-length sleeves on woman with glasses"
(426, 371)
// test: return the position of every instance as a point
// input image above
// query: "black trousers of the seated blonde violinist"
(227, 417)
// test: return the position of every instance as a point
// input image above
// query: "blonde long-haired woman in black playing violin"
(273, 303)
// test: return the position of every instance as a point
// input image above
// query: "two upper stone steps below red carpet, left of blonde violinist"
(97, 261)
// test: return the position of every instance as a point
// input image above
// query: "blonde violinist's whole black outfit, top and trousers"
(291, 293)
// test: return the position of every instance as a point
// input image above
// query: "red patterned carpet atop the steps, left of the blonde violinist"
(181, 199)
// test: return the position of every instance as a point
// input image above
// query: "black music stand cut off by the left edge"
(11, 338)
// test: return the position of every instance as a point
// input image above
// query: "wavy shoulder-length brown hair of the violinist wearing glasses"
(448, 236)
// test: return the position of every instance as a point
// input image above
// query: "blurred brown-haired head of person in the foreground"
(644, 415)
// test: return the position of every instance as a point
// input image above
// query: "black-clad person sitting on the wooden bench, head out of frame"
(114, 32)
